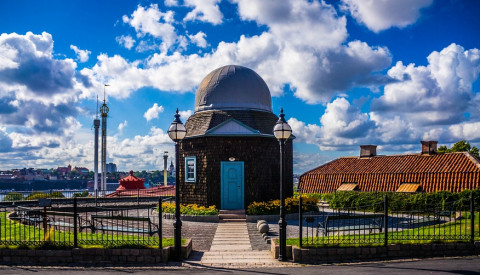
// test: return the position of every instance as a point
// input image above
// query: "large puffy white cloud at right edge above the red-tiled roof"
(439, 93)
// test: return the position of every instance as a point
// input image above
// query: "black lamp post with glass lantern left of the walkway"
(177, 132)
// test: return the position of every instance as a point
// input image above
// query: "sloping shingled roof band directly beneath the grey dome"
(201, 122)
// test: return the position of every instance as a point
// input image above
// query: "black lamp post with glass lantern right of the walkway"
(282, 132)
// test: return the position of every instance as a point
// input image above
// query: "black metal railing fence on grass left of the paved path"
(80, 224)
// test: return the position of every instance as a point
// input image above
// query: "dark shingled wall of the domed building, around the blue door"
(261, 157)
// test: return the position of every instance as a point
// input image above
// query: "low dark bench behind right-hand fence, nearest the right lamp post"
(365, 222)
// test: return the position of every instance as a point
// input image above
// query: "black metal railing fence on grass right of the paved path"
(382, 223)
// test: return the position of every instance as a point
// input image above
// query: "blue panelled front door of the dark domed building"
(232, 185)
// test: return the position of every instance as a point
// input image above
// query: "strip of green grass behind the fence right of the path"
(439, 233)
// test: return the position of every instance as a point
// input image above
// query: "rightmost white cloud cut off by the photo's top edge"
(379, 15)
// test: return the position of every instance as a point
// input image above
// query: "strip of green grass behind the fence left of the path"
(17, 235)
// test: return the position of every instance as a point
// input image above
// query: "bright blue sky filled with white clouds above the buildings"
(347, 73)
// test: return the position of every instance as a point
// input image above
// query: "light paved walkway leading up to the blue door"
(231, 248)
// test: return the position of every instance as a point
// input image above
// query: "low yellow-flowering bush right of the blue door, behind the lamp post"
(291, 206)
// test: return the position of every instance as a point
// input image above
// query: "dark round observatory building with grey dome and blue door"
(230, 157)
